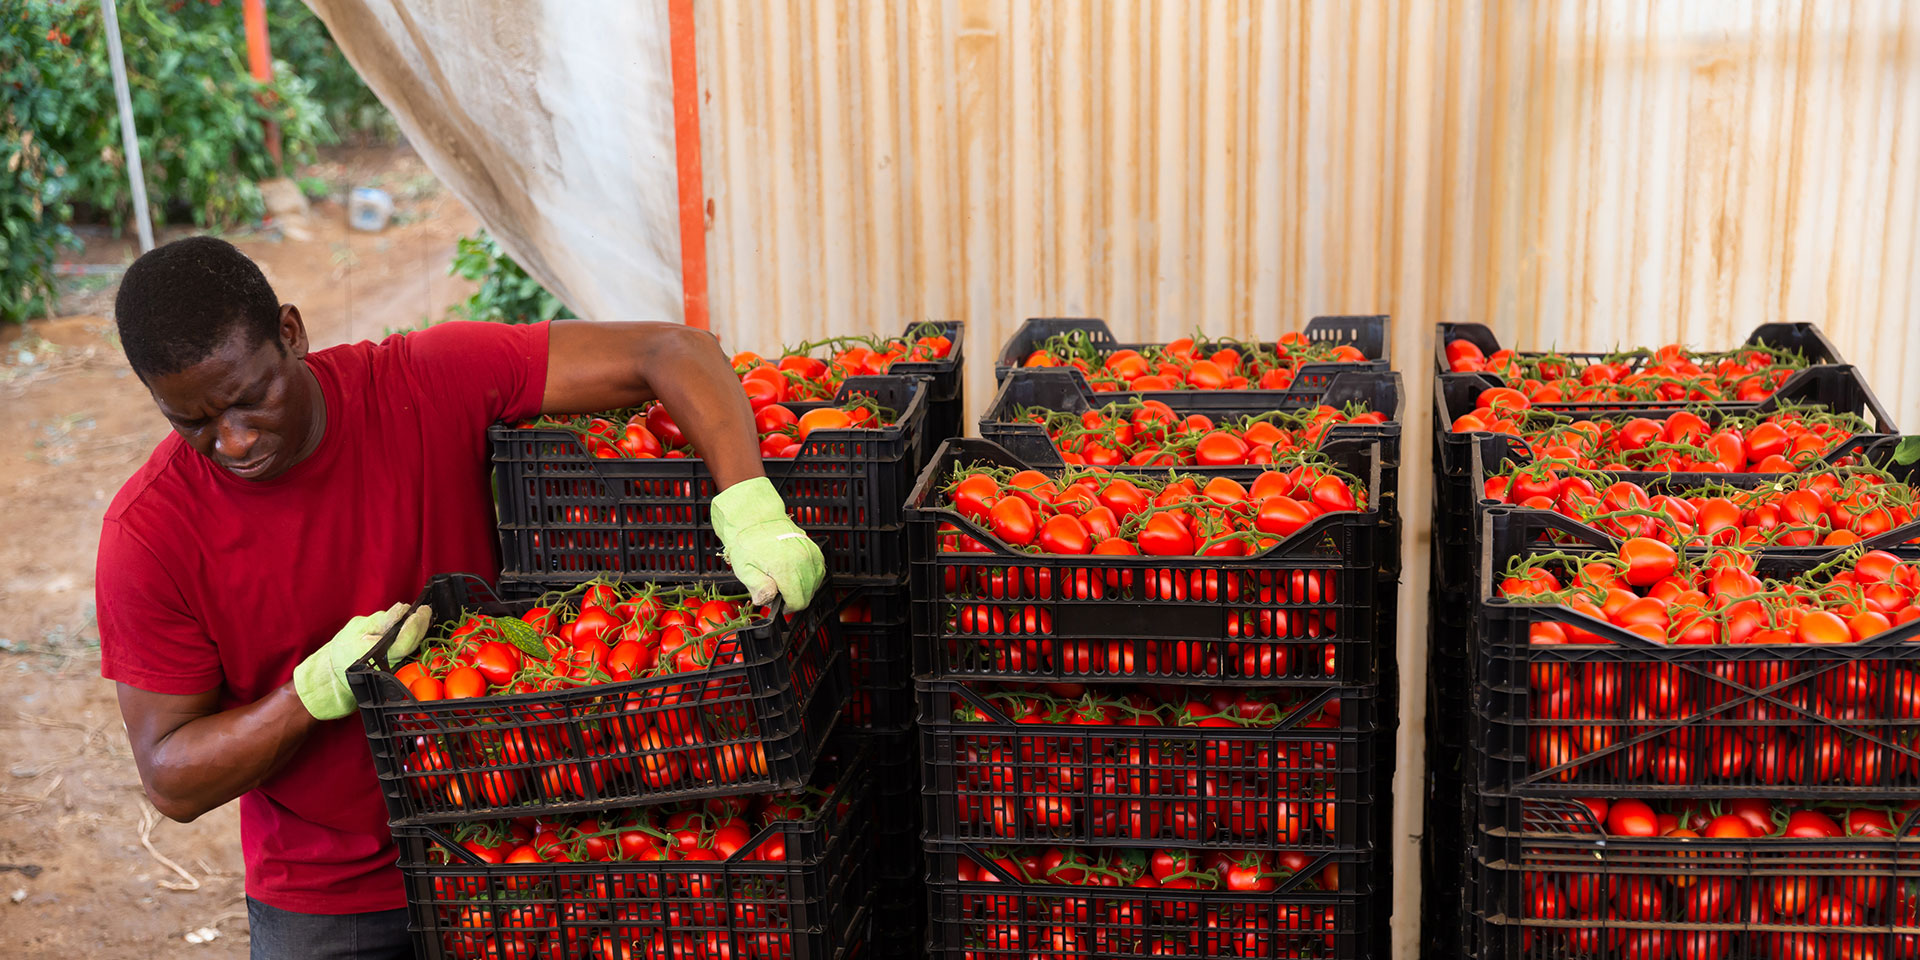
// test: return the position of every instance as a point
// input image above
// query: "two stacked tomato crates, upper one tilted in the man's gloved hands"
(623, 771)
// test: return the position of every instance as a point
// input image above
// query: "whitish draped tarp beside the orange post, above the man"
(552, 120)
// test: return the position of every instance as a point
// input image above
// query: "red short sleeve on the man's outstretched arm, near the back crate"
(494, 370)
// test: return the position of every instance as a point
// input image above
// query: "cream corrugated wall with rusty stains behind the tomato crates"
(1577, 174)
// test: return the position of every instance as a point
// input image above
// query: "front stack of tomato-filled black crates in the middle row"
(1199, 731)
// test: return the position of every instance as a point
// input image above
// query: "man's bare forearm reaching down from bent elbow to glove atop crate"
(702, 391)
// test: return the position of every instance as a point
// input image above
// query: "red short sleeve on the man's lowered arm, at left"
(149, 636)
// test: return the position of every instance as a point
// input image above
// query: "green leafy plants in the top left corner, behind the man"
(199, 116)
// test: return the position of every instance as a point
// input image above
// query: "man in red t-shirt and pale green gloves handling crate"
(304, 489)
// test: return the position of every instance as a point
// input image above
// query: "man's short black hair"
(183, 300)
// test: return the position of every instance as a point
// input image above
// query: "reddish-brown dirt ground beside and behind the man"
(87, 869)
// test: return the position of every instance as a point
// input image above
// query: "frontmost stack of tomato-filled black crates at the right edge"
(1725, 771)
